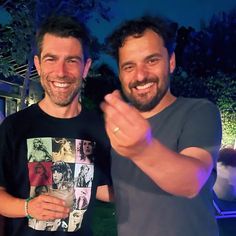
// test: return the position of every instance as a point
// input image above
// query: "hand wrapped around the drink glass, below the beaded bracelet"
(45, 207)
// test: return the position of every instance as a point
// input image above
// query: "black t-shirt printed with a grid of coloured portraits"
(66, 158)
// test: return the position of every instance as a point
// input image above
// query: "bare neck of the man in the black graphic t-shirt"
(69, 111)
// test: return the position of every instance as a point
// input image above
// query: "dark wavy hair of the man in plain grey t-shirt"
(165, 28)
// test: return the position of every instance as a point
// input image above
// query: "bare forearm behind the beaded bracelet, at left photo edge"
(11, 206)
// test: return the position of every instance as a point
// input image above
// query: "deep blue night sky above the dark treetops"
(184, 12)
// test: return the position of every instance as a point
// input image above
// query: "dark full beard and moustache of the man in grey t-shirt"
(143, 103)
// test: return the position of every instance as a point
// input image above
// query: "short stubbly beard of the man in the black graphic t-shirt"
(61, 98)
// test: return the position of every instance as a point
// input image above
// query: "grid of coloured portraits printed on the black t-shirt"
(62, 168)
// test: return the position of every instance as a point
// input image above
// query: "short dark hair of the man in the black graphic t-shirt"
(64, 26)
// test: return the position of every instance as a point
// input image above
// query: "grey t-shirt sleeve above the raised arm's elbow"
(202, 128)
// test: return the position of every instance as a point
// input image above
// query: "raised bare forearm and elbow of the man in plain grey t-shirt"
(178, 174)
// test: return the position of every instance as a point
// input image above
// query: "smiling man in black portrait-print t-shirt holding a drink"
(62, 62)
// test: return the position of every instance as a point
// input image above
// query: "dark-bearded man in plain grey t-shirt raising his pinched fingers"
(164, 147)
